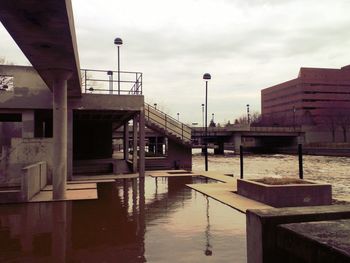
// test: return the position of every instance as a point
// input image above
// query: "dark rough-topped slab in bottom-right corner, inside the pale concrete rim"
(325, 241)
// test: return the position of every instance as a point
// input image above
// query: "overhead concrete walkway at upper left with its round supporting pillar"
(44, 31)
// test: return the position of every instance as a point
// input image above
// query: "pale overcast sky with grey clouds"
(246, 45)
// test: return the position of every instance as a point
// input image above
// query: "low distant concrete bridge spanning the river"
(231, 137)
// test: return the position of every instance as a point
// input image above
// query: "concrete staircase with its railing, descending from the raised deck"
(167, 125)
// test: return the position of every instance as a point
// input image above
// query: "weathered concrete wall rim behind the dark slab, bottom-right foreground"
(262, 227)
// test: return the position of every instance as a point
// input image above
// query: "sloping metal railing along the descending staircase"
(168, 123)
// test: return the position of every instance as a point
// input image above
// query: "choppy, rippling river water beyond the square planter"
(326, 169)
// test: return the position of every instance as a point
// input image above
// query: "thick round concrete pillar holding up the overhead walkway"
(59, 173)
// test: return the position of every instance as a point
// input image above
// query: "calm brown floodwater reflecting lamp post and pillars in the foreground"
(133, 221)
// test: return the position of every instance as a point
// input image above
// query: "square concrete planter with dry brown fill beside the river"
(289, 195)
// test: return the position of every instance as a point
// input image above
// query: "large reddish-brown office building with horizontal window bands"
(318, 96)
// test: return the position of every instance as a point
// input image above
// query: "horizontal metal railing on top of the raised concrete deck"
(103, 82)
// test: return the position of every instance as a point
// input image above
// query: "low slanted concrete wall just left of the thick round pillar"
(34, 179)
